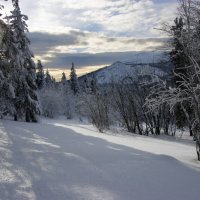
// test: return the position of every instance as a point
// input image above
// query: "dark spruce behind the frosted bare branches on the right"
(179, 58)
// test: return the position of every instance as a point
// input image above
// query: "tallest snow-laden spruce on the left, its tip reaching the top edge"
(26, 102)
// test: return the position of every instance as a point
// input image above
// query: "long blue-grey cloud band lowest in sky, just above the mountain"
(82, 60)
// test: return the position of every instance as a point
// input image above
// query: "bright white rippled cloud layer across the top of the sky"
(135, 18)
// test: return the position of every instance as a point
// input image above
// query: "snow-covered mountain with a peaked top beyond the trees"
(121, 70)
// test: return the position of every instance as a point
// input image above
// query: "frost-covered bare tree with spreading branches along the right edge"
(186, 91)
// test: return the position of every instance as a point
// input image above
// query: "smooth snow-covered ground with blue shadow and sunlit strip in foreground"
(61, 160)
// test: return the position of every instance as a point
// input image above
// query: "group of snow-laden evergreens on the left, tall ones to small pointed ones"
(23, 85)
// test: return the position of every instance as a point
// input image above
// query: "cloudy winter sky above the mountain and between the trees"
(94, 33)
